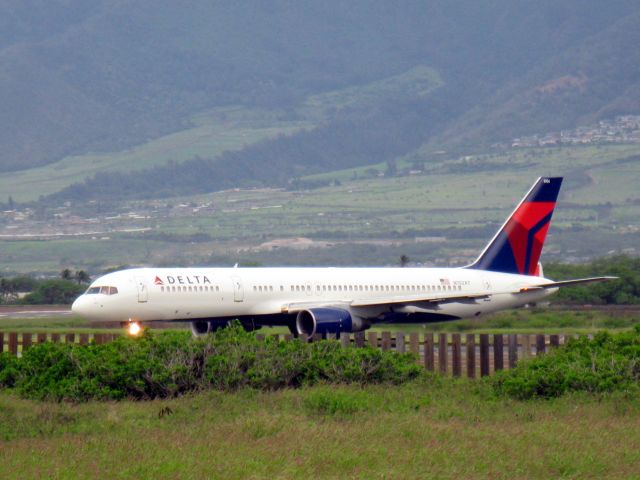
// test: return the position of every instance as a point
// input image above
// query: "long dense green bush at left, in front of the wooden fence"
(170, 364)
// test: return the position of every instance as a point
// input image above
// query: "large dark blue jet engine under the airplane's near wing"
(328, 320)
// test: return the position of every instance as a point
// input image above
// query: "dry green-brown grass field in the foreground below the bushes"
(433, 428)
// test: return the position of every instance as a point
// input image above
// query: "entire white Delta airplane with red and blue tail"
(507, 274)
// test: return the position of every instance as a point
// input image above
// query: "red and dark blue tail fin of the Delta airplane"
(517, 246)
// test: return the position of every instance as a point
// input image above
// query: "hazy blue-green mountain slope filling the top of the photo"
(119, 83)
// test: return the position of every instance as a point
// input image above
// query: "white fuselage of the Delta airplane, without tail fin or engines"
(187, 294)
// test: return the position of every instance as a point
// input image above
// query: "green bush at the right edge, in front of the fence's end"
(604, 364)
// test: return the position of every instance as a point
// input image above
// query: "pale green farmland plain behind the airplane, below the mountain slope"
(456, 204)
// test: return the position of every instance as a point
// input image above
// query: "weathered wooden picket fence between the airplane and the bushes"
(448, 353)
